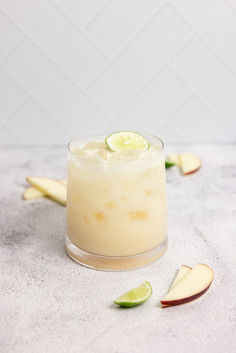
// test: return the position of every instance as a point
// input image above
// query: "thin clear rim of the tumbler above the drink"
(107, 133)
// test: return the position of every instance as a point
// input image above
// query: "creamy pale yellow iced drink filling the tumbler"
(116, 203)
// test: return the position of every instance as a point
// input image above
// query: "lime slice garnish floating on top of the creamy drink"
(126, 140)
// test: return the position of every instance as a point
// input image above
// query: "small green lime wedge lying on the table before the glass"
(135, 296)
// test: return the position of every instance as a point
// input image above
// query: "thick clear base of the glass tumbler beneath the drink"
(114, 263)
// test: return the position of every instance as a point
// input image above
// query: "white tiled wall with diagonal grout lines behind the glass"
(72, 66)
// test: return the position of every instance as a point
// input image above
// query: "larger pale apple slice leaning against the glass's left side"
(50, 187)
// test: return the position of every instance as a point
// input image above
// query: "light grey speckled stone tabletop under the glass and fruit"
(51, 304)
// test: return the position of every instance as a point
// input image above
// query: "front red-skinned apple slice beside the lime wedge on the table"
(191, 287)
